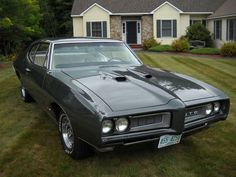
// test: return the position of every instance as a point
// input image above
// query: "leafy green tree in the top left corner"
(19, 23)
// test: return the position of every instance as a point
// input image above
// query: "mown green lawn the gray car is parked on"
(29, 143)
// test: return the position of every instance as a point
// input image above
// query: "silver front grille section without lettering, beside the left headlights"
(150, 121)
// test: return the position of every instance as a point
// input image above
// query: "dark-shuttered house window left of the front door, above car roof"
(97, 29)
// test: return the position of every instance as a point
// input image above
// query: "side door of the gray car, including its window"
(36, 70)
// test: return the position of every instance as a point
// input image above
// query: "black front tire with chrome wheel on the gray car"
(72, 145)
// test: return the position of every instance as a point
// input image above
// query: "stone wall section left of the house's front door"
(116, 27)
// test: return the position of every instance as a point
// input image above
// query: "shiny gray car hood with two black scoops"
(124, 88)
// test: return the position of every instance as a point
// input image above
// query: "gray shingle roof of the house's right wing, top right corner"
(228, 8)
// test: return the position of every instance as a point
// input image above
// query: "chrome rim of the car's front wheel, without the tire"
(67, 132)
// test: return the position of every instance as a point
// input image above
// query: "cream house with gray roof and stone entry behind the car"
(133, 21)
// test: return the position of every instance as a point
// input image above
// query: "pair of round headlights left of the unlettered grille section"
(120, 125)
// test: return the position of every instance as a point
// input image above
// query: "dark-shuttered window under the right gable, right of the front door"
(166, 28)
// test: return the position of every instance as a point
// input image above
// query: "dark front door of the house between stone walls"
(131, 32)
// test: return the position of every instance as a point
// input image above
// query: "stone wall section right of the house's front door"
(147, 27)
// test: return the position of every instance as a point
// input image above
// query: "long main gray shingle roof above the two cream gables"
(146, 6)
